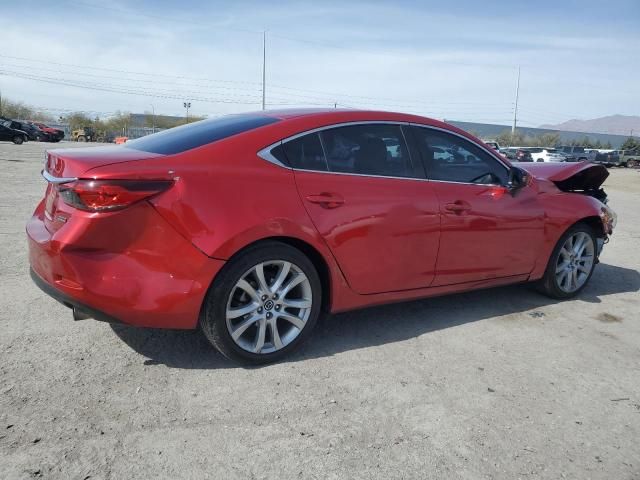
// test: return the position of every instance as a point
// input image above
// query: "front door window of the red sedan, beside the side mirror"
(450, 158)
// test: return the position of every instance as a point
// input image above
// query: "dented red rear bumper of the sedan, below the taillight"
(129, 267)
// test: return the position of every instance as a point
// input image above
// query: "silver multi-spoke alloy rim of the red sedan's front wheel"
(575, 262)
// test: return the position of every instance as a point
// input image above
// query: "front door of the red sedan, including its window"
(487, 232)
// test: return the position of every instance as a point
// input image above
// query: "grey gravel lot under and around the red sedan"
(502, 383)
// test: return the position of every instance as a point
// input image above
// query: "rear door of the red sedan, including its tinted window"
(366, 198)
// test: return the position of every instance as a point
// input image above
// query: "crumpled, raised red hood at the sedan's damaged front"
(569, 176)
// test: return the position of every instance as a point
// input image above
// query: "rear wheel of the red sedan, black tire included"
(261, 312)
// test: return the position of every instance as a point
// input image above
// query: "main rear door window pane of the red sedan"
(369, 149)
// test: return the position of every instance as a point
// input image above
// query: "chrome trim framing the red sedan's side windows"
(266, 154)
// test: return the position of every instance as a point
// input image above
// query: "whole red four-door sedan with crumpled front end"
(248, 226)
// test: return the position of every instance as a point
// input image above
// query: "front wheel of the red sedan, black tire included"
(553, 280)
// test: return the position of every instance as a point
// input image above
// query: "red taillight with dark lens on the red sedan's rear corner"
(109, 195)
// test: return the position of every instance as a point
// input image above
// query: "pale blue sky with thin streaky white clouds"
(449, 60)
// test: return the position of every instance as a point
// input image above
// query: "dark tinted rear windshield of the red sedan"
(197, 134)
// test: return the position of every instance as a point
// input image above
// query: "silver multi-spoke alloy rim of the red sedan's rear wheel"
(269, 306)
